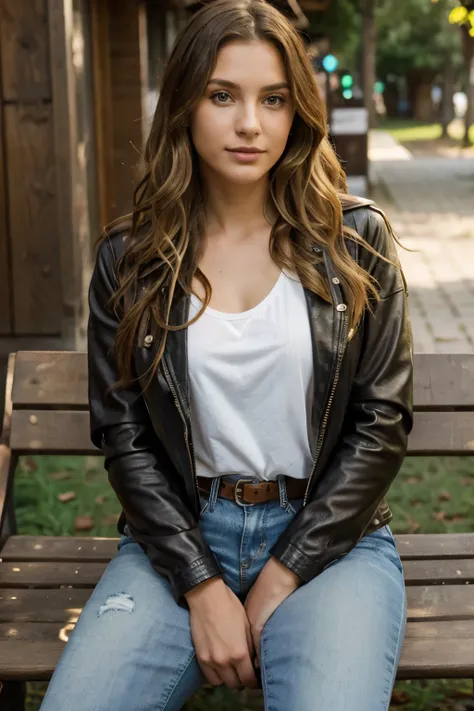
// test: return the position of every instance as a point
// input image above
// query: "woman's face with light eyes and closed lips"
(246, 105)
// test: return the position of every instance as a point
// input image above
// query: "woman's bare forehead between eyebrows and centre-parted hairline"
(250, 64)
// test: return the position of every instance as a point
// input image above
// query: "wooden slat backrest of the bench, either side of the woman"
(47, 400)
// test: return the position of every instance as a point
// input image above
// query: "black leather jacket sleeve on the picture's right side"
(378, 420)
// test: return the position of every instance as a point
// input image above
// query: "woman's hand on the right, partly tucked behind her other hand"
(272, 586)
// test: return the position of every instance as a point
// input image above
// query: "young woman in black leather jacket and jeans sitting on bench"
(251, 387)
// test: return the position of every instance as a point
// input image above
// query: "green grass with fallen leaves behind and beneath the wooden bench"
(429, 495)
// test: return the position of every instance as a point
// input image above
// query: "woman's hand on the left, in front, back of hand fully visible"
(221, 635)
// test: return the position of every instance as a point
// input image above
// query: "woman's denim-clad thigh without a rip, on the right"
(335, 643)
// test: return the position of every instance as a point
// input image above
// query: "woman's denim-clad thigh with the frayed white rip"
(131, 649)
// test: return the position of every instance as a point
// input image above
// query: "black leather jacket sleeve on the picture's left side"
(140, 472)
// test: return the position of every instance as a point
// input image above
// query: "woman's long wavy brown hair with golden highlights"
(167, 224)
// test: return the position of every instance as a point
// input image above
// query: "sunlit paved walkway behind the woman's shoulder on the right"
(430, 203)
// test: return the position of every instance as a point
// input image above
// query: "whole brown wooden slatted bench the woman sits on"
(45, 581)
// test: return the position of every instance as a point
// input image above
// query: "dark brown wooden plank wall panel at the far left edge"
(30, 168)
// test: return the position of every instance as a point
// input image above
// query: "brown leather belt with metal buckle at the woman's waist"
(245, 492)
